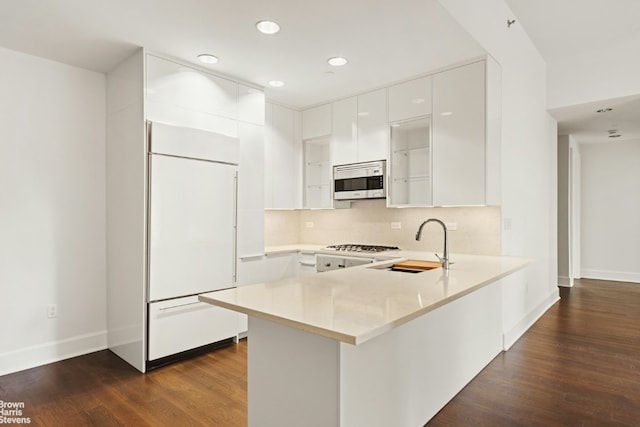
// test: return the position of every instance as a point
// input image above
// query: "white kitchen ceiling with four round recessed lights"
(384, 41)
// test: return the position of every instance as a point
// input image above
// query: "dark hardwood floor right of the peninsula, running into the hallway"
(579, 365)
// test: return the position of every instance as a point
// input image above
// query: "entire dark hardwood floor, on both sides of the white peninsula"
(579, 365)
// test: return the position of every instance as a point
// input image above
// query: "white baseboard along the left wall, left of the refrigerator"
(54, 351)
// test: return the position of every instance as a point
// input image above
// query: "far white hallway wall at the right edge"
(610, 210)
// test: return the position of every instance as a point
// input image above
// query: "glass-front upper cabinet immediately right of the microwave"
(410, 163)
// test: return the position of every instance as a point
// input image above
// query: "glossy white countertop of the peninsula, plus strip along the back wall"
(357, 304)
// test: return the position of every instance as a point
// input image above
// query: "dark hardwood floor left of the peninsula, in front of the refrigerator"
(100, 389)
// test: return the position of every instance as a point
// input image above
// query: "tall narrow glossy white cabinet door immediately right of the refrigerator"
(251, 190)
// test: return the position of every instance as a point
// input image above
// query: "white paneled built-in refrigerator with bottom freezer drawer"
(191, 243)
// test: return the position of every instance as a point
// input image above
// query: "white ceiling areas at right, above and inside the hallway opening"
(563, 28)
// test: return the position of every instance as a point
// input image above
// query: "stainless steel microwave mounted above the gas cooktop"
(360, 181)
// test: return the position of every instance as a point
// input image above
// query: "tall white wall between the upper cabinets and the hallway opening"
(528, 160)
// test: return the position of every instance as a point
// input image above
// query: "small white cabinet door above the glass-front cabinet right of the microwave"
(410, 99)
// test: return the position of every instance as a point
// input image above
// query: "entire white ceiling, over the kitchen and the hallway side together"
(385, 41)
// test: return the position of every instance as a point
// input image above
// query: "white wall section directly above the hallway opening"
(605, 73)
